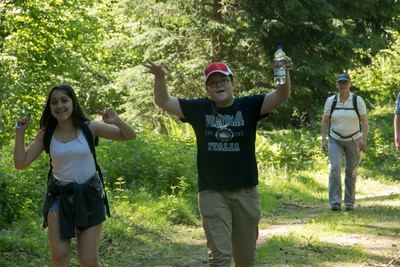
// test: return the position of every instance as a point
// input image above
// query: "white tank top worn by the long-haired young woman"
(72, 161)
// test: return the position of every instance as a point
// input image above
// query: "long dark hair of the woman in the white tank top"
(48, 122)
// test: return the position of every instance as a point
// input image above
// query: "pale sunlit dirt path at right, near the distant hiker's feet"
(384, 246)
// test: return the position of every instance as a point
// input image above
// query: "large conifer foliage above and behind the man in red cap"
(323, 39)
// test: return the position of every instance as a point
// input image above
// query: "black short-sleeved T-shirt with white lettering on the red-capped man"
(225, 141)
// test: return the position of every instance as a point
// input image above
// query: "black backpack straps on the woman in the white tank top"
(89, 138)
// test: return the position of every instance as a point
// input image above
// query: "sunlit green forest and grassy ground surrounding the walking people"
(98, 46)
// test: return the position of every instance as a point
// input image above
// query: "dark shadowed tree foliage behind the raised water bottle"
(323, 38)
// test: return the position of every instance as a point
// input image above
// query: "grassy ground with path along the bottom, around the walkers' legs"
(297, 228)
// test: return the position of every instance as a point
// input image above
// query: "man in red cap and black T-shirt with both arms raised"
(225, 128)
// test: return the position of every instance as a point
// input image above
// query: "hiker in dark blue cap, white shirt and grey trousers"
(345, 118)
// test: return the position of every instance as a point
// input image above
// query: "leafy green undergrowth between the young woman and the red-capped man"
(151, 161)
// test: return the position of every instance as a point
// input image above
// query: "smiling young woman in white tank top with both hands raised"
(74, 201)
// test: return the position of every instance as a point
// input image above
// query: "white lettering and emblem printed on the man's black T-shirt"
(223, 133)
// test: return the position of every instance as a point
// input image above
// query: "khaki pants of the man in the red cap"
(230, 221)
